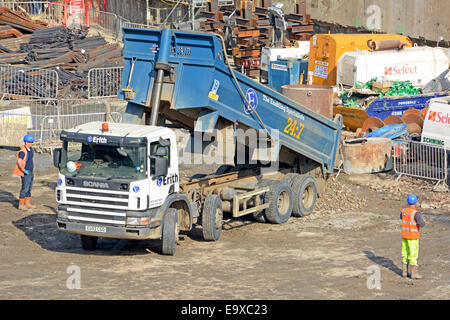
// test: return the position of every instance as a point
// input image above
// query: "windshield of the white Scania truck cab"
(92, 160)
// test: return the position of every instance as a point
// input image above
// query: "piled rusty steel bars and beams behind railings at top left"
(68, 51)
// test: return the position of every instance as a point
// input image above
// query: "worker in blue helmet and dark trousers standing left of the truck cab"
(24, 169)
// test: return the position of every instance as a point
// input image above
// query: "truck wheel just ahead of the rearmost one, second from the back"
(279, 198)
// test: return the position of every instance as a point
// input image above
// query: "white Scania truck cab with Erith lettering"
(118, 180)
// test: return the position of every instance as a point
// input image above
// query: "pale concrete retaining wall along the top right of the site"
(415, 18)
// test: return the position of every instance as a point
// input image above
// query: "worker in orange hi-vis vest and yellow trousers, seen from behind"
(412, 222)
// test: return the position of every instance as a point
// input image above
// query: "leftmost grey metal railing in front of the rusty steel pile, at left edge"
(28, 82)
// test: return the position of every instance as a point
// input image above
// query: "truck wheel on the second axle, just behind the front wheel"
(212, 218)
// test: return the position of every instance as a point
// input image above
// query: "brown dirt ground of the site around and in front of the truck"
(349, 248)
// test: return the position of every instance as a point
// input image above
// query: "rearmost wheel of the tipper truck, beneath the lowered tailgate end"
(304, 191)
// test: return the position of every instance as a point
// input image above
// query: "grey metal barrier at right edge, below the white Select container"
(420, 160)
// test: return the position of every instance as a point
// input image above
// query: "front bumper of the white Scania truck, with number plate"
(136, 233)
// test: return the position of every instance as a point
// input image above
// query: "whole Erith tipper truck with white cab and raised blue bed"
(122, 180)
